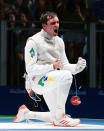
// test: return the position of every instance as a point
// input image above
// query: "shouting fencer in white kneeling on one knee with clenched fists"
(49, 73)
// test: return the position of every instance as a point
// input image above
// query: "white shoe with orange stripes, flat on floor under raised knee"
(67, 121)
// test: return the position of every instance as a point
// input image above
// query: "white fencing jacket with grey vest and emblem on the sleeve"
(41, 51)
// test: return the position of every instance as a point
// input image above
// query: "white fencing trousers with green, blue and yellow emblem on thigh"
(54, 87)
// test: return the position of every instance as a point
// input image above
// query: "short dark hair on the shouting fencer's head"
(44, 16)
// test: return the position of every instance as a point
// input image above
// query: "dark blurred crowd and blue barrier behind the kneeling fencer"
(81, 28)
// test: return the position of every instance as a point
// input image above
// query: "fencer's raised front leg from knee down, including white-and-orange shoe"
(56, 98)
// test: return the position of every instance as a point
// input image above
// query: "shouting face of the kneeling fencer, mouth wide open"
(52, 26)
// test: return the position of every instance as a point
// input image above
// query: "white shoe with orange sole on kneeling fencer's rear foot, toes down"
(21, 114)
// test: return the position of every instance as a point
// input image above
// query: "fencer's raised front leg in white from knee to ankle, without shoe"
(56, 96)
